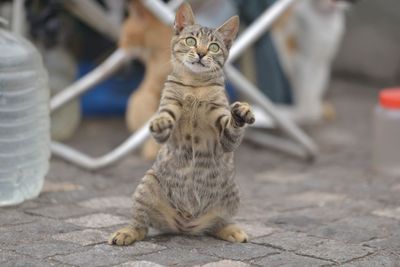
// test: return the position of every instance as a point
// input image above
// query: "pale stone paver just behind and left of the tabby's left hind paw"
(98, 220)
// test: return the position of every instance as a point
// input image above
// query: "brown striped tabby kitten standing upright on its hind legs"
(190, 188)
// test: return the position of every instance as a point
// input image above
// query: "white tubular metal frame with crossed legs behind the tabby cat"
(303, 147)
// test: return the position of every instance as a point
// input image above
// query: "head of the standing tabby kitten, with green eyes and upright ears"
(201, 49)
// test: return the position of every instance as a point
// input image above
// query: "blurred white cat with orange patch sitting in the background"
(307, 39)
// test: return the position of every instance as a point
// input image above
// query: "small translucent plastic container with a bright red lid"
(386, 145)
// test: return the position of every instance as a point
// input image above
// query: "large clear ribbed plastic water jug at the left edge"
(24, 120)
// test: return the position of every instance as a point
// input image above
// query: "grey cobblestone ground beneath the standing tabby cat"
(334, 212)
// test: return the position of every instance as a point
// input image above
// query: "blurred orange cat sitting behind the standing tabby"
(144, 31)
